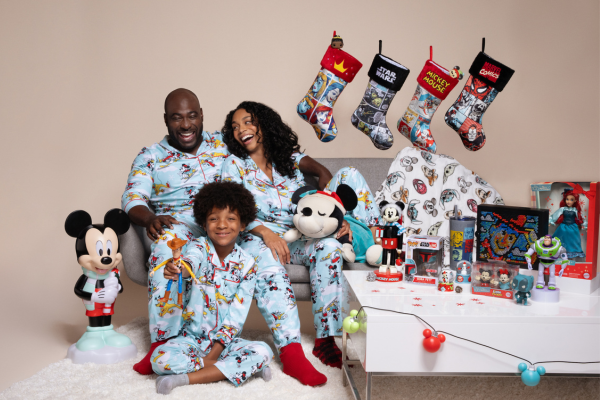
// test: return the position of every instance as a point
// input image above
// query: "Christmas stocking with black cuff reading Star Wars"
(387, 77)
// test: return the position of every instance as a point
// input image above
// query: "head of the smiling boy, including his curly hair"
(224, 209)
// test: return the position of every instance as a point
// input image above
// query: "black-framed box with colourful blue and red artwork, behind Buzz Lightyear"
(505, 233)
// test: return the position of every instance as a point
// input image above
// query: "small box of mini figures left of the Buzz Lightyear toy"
(493, 278)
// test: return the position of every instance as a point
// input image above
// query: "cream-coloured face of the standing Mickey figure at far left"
(102, 249)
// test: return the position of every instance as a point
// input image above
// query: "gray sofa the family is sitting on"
(135, 245)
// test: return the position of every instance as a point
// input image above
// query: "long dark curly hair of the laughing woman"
(278, 139)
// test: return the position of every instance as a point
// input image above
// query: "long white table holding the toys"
(392, 345)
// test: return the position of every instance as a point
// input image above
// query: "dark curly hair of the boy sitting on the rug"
(222, 195)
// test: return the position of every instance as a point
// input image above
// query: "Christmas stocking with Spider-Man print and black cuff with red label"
(488, 77)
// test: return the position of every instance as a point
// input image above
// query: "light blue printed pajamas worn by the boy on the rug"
(216, 311)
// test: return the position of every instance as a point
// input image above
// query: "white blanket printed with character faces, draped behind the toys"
(430, 185)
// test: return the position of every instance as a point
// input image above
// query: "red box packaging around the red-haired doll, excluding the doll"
(549, 195)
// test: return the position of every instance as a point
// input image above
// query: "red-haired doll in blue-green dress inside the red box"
(569, 220)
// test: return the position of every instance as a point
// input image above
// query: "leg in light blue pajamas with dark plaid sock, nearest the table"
(324, 258)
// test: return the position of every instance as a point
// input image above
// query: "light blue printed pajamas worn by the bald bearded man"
(166, 180)
